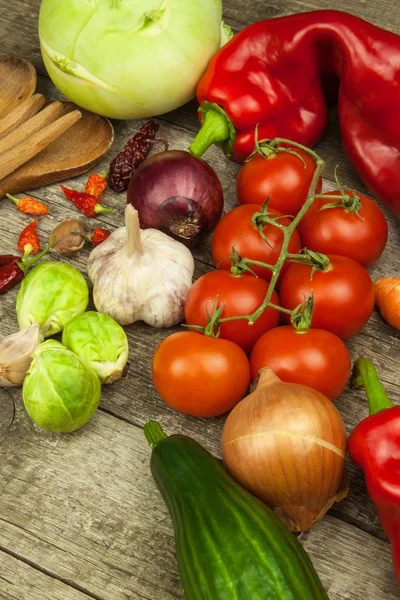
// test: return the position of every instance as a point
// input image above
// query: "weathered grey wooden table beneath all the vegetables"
(80, 516)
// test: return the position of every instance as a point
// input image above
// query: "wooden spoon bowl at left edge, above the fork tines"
(17, 82)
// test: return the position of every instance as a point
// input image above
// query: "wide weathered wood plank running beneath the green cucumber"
(85, 508)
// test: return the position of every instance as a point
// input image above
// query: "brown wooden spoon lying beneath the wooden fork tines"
(73, 153)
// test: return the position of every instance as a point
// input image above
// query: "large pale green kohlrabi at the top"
(129, 59)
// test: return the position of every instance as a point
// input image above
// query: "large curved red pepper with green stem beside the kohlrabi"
(273, 75)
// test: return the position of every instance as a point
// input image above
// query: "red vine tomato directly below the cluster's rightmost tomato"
(344, 294)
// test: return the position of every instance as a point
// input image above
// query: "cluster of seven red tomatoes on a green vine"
(206, 370)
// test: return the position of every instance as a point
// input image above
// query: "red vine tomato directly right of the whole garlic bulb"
(241, 295)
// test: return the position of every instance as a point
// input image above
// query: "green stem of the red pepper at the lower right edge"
(365, 375)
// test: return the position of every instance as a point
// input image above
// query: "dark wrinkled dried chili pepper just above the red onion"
(131, 156)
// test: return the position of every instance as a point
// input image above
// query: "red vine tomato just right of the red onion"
(236, 229)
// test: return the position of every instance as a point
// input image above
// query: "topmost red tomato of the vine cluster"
(282, 177)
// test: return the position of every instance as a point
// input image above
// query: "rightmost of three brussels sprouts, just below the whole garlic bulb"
(100, 342)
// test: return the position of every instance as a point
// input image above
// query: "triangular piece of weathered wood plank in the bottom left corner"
(19, 581)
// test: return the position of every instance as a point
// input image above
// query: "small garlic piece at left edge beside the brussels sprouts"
(16, 355)
